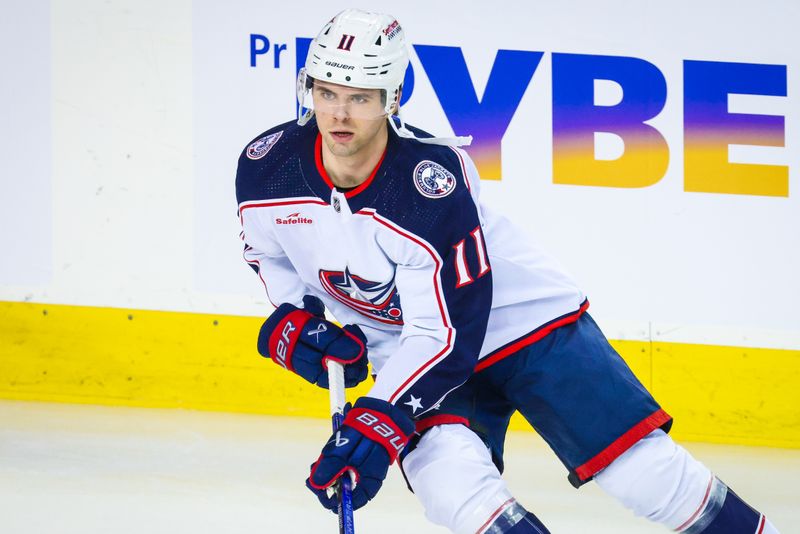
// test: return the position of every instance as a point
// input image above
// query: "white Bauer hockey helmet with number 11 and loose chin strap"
(363, 50)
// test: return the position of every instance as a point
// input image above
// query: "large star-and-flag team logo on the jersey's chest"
(376, 300)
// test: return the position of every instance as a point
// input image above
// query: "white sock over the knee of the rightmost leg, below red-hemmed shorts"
(657, 479)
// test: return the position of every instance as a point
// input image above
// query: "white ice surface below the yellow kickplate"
(80, 469)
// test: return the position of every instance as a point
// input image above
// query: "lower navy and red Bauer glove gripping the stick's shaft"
(371, 437)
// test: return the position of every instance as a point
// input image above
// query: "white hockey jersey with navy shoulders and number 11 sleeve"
(440, 285)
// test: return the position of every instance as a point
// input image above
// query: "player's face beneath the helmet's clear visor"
(350, 120)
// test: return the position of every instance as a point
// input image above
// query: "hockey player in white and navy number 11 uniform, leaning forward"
(464, 322)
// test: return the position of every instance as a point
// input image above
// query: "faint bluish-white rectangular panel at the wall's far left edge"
(26, 218)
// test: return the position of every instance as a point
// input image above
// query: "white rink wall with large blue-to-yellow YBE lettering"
(134, 113)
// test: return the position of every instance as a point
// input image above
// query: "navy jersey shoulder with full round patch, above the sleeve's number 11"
(425, 191)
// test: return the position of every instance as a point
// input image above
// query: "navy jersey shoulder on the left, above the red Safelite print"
(269, 166)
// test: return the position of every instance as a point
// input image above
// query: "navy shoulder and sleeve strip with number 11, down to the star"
(425, 192)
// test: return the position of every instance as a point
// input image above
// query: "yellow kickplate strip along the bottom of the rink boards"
(123, 357)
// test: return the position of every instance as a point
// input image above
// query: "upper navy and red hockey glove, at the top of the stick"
(301, 340)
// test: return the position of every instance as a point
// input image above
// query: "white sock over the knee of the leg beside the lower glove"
(452, 474)
